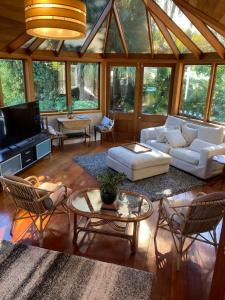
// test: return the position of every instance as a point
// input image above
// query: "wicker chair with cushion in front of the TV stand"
(33, 201)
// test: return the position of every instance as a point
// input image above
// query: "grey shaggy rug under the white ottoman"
(172, 183)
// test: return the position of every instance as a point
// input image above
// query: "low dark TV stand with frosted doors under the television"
(20, 156)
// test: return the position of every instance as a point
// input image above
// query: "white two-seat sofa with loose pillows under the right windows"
(201, 144)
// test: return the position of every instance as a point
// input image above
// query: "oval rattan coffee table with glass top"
(91, 214)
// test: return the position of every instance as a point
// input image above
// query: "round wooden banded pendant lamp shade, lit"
(55, 19)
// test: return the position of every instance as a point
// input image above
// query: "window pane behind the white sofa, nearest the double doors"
(195, 89)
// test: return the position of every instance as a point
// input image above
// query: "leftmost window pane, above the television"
(12, 81)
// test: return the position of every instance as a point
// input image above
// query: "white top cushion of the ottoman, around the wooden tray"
(136, 161)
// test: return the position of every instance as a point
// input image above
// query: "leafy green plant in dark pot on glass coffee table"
(109, 184)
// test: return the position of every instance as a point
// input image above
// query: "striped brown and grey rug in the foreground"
(28, 272)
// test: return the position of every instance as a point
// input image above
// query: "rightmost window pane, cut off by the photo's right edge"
(218, 101)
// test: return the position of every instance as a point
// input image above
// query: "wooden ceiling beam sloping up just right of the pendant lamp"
(97, 26)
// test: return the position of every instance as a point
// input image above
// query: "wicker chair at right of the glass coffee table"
(191, 219)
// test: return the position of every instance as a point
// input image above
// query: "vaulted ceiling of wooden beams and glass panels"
(206, 16)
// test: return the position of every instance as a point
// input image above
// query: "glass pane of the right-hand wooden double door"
(156, 90)
